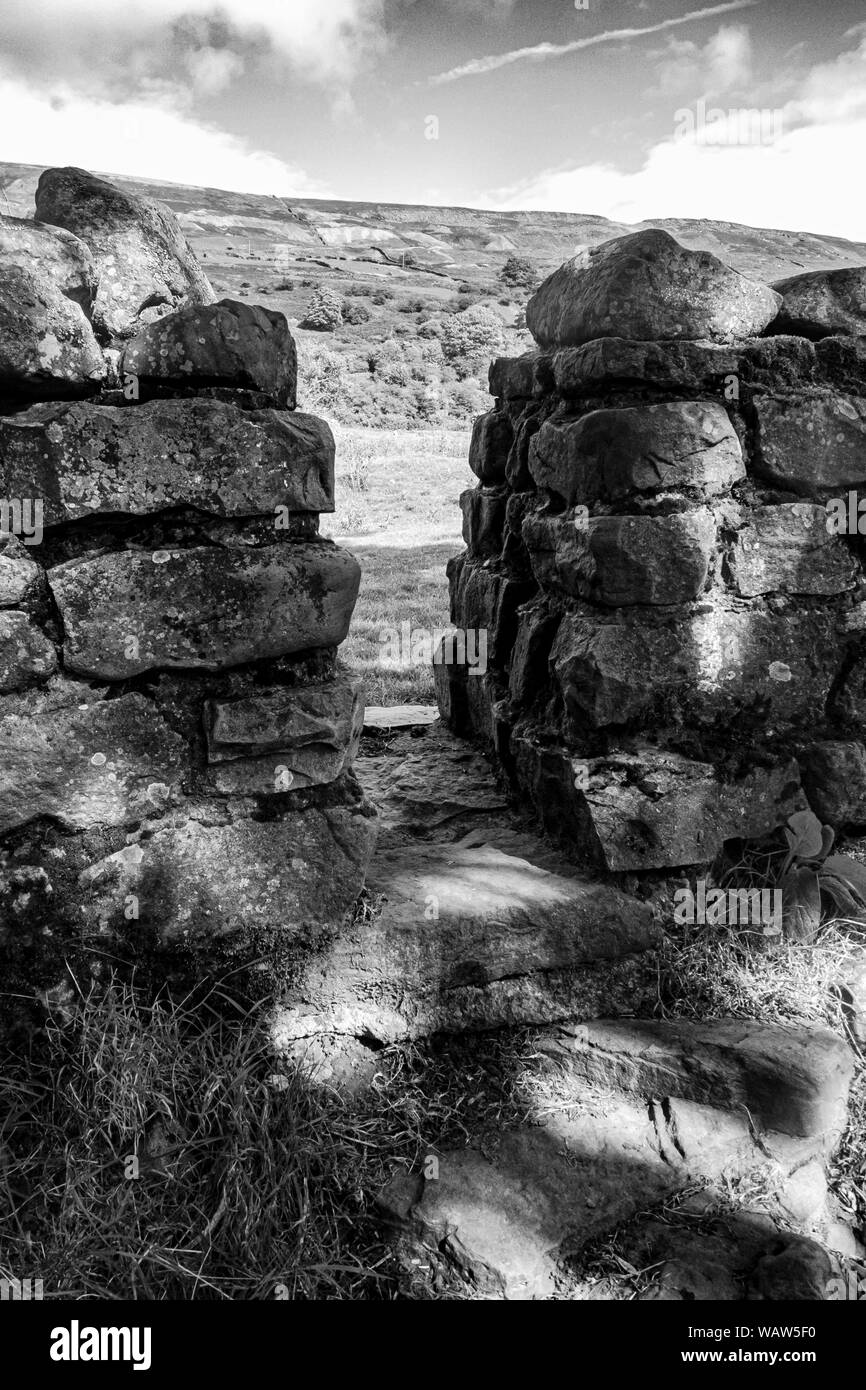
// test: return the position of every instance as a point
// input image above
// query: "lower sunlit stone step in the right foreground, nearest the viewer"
(618, 1136)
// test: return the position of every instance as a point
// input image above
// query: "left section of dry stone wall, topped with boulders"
(176, 743)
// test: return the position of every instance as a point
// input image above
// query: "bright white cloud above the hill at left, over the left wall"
(138, 138)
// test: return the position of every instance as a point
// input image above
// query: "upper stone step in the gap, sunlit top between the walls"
(472, 936)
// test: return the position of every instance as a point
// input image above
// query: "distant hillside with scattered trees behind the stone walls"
(400, 272)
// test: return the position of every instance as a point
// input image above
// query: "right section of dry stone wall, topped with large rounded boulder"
(676, 629)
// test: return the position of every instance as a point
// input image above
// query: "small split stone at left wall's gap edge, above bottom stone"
(284, 739)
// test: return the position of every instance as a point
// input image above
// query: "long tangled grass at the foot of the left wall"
(156, 1152)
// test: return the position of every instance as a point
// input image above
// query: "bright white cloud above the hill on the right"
(806, 179)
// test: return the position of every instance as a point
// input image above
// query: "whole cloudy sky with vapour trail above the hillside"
(746, 112)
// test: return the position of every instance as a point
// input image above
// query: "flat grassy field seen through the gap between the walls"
(397, 511)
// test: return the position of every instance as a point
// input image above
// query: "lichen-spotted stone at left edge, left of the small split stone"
(97, 764)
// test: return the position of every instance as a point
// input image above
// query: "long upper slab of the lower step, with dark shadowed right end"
(793, 1081)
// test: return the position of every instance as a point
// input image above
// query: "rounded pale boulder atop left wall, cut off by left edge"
(48, 281)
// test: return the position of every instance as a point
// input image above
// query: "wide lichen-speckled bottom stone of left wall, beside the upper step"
(251, 885)
